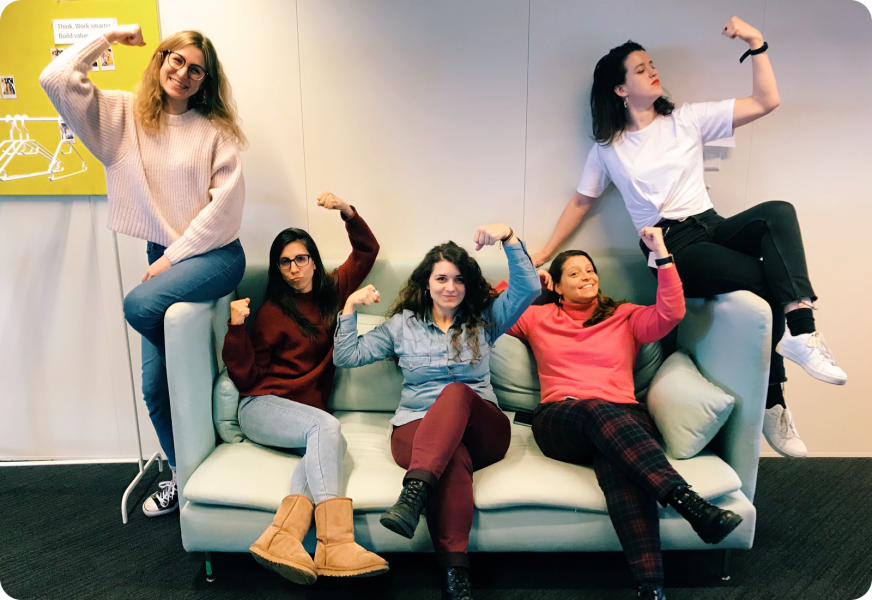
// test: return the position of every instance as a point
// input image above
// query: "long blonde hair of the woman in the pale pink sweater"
(213, 100)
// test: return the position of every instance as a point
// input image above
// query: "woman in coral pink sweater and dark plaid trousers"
(585, 345)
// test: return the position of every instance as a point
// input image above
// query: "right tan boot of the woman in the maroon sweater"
(336, 553)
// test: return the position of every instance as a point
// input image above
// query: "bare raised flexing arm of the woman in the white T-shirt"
(764, 93)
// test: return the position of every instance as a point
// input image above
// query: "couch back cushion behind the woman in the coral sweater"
(515, 378)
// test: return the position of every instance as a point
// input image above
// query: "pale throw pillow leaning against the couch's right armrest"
(687, 408)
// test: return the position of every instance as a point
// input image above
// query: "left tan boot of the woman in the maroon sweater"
(280, 547)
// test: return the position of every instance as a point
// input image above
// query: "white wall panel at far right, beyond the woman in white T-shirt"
(813, 151)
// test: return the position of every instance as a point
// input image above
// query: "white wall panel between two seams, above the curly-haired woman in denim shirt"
(414, 111)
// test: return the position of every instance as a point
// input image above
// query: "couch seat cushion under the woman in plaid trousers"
(526, 477)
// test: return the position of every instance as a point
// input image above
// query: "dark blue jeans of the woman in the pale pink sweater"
(196, 279)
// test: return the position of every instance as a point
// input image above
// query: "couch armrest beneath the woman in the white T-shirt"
(729, 338)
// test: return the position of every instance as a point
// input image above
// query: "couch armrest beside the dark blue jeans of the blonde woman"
(193, 353)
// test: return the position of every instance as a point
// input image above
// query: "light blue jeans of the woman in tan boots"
(275, 421)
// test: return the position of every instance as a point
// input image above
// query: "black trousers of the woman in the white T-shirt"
(715, 255)
